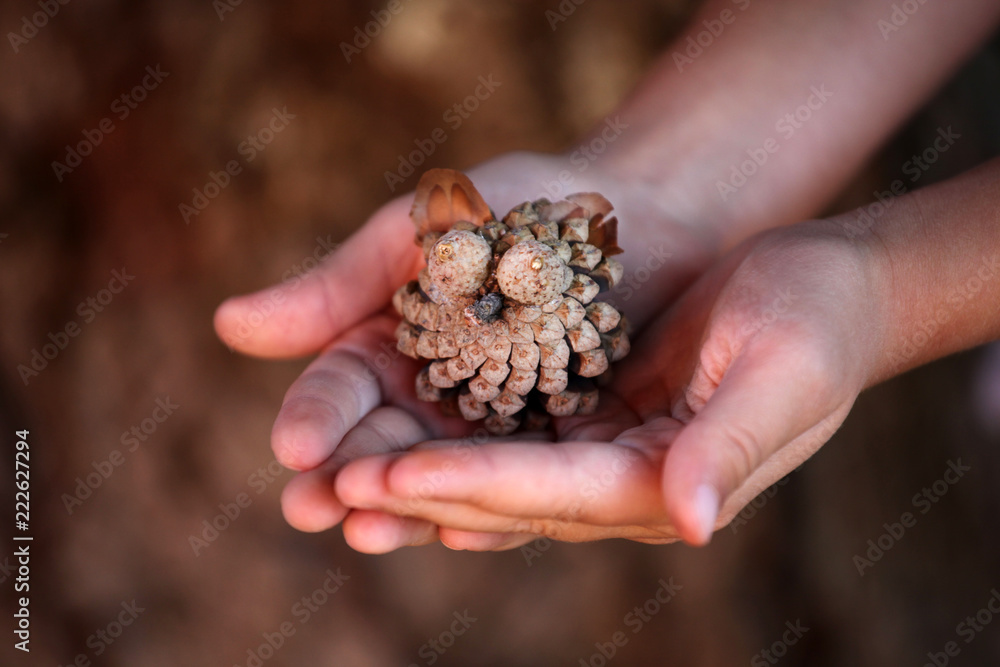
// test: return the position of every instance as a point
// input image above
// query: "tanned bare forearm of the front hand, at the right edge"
(940, 270)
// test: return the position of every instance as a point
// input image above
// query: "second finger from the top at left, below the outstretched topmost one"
(329, 399)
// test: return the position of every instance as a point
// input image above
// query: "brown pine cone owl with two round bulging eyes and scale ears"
(504, 312)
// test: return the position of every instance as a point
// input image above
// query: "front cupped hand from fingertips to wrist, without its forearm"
(746, 377)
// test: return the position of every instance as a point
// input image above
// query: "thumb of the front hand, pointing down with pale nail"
(734, 447)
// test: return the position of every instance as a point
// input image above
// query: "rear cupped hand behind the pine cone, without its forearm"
(356, 399)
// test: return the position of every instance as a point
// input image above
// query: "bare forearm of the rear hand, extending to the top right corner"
(826, 81)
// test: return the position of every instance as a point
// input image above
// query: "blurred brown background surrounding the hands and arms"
(322, 176)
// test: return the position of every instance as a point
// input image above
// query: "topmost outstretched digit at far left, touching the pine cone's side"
(304, 314)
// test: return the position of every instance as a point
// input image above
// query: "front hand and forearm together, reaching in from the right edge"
(746, 377)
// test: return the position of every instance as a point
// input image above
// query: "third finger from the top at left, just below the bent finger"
(308, 500)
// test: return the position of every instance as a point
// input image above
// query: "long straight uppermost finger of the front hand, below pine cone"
(593, 483)
